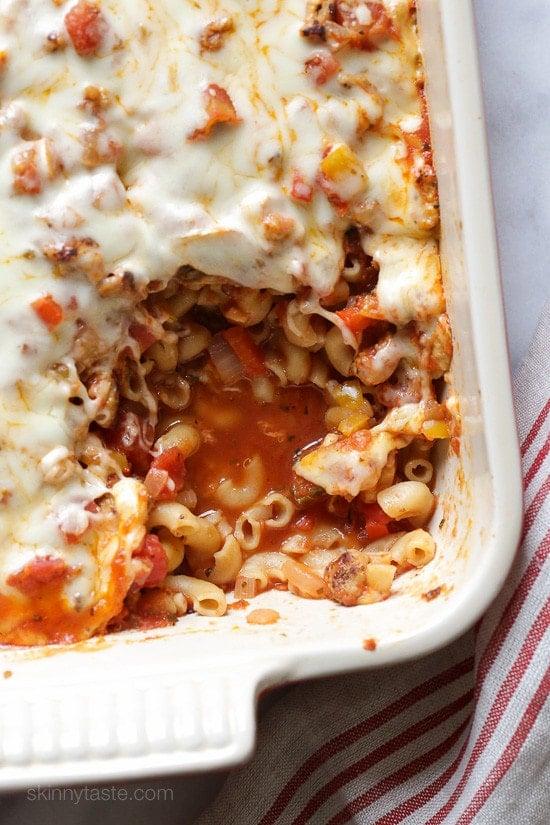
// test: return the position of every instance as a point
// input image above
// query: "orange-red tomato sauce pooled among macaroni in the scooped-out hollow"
(235, 426)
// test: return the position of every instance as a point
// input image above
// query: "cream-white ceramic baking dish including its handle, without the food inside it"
(183, 699)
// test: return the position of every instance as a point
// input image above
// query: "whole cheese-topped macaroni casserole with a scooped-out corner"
(221, 306)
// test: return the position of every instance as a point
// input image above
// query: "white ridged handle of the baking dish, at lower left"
(159, 723)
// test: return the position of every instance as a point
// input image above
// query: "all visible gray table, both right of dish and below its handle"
(514, 40)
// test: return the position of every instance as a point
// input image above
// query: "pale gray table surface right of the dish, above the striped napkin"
(515, 63)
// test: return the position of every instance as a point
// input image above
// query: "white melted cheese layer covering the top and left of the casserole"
(128, 177)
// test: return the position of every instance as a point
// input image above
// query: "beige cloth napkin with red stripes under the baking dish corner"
(461, 736)
